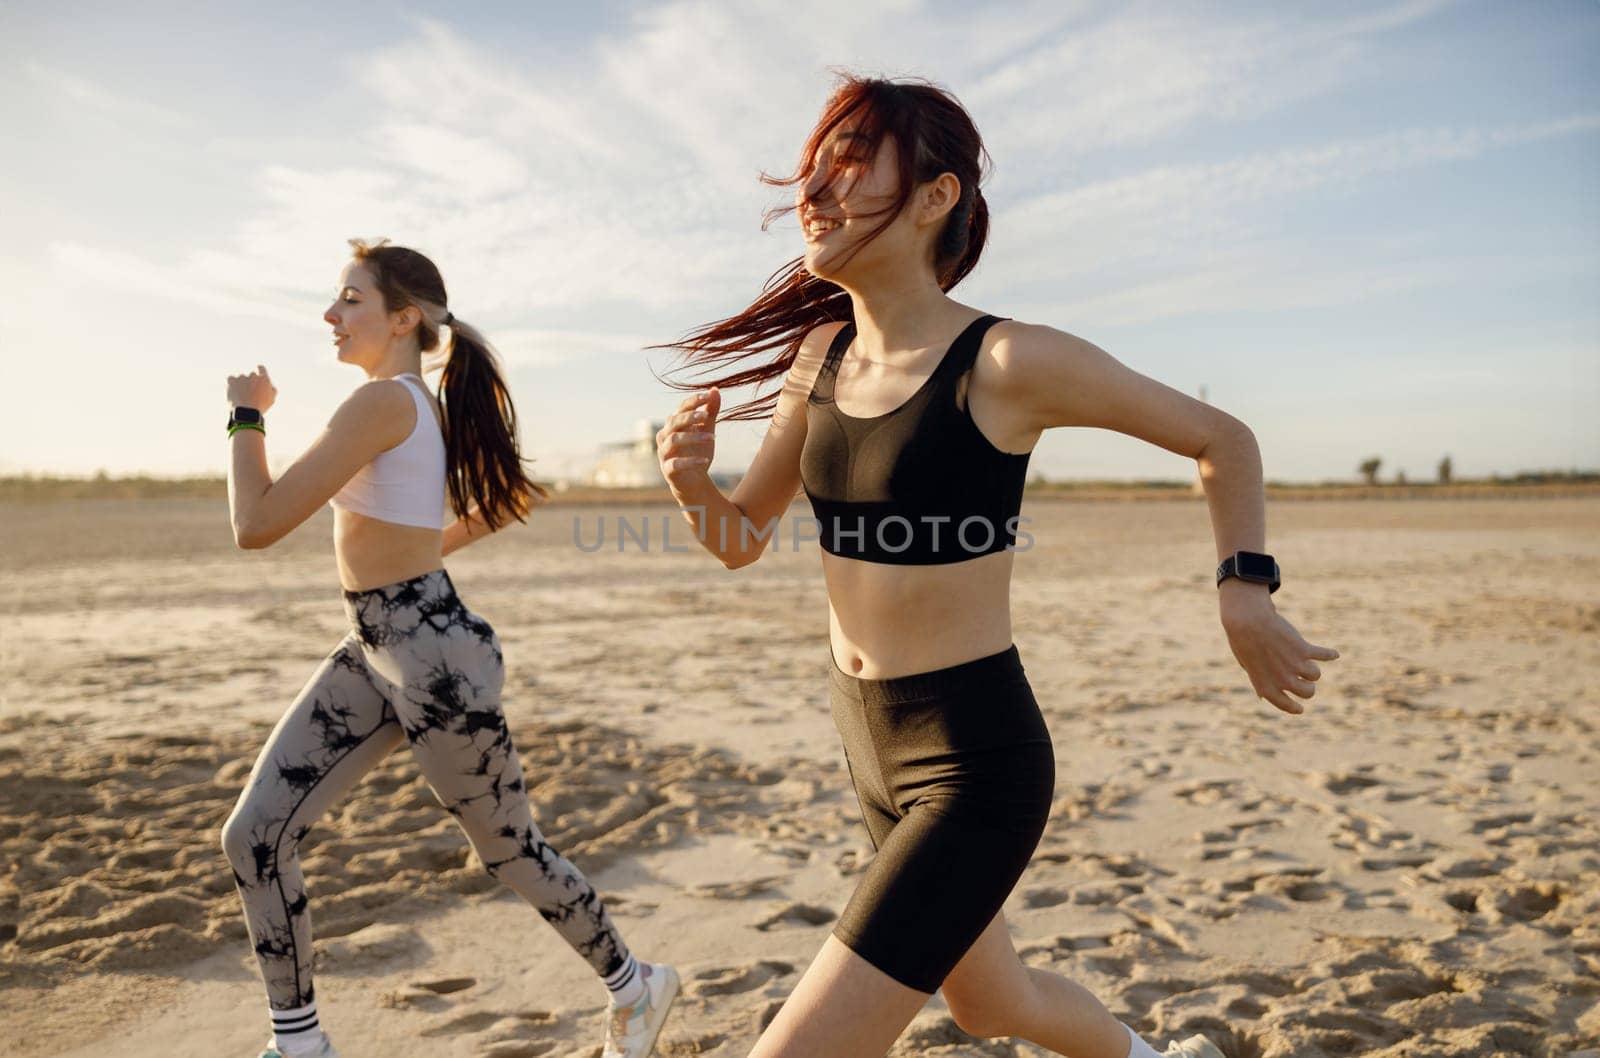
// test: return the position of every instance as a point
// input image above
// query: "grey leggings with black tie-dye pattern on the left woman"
(417, 667)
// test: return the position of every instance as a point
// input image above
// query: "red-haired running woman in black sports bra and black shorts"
(908, 419)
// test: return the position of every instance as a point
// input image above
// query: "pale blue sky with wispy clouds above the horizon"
(1367, 230)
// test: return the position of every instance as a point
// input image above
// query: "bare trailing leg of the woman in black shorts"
(991, 993)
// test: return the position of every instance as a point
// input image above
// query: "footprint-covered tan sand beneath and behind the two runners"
(1410, 868)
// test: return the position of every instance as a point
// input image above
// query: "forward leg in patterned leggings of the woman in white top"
(335, 732)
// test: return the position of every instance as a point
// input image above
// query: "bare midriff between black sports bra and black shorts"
(897, 620)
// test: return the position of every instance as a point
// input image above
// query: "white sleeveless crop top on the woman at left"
(404, 484)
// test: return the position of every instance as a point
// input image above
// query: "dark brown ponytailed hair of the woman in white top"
(484, 463)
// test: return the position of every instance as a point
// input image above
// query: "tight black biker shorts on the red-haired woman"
(954, 772)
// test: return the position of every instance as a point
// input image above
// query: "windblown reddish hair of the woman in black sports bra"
(932, 135)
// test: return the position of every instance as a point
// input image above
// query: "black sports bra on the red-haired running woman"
(918, 486)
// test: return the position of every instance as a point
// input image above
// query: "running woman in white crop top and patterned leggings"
(417, 665)
